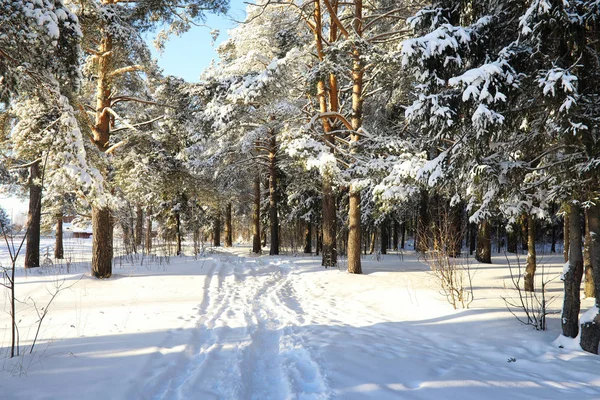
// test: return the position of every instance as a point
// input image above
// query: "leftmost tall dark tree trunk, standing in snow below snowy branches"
(34, 216)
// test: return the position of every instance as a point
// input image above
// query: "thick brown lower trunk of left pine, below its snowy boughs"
(102, 242)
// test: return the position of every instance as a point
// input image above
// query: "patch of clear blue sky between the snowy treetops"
(186, 56)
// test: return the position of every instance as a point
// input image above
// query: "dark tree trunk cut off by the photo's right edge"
(590, 330)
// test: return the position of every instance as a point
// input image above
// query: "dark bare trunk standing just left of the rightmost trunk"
(572, 276)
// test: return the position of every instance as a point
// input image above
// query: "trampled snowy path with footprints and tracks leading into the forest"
(244, 345)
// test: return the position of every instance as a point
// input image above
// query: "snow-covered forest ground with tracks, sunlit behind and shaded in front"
(229, 325)
